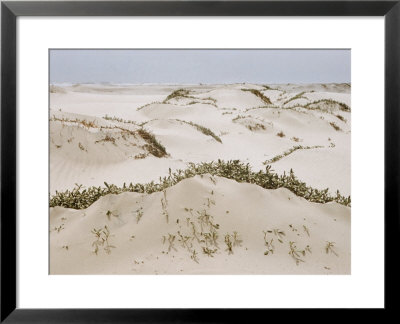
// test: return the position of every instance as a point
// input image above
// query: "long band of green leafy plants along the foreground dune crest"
(80, 198)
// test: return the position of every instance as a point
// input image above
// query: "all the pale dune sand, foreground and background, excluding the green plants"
(99, 150)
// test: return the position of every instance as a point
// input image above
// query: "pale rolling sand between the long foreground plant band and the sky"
(247, 127)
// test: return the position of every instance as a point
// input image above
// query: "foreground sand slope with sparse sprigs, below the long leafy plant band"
(139, 234)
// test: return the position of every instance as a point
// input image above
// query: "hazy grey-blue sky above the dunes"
(200, 66)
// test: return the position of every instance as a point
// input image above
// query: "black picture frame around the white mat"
(9, 13)
